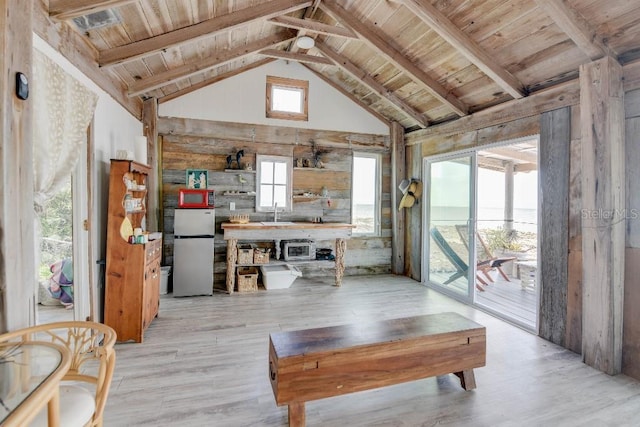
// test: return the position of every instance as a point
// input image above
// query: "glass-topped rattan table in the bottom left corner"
(30, 373)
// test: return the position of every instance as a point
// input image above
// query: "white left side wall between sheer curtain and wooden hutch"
(114, 129)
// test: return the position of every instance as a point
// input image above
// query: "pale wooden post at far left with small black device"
(17, 248)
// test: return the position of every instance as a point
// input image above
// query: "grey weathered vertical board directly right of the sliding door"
(553, 183)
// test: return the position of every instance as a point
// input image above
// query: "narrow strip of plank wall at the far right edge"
(631, 327)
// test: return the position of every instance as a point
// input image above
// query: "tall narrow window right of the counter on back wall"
(365, 194)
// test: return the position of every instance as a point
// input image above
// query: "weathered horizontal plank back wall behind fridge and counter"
(188, 144)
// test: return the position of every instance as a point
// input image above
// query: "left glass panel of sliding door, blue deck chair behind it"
(450, 223)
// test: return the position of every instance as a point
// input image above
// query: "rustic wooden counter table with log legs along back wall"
(256, 231)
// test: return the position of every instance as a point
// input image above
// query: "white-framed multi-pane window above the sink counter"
(273, 183)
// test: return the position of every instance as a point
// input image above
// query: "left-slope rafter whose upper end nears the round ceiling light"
(187, 70)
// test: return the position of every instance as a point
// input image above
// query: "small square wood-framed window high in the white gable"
(287, 98)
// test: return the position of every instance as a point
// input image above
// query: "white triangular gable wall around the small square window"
(241, 99)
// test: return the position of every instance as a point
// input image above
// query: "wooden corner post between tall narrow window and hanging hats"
(398, 172)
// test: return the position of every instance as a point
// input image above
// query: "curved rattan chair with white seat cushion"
(85, 387)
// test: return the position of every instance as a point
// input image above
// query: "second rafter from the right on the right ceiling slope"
(430, 15)
